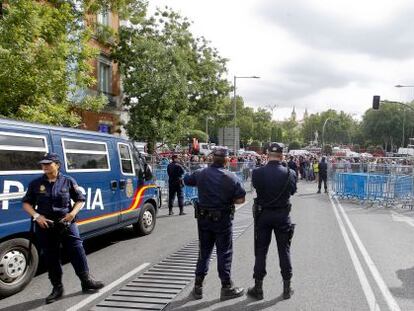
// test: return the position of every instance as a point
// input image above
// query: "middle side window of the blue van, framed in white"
(85, 156)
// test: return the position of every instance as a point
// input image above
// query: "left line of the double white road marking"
(366, 287)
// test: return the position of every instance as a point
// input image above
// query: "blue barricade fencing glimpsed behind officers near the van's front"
(241, 169)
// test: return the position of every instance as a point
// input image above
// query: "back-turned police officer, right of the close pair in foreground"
(274, 185)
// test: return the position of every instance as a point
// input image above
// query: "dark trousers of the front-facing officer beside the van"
(50, 241)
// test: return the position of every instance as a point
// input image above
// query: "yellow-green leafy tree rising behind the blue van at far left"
(45, 59)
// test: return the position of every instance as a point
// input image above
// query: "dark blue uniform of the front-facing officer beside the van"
(53, 201)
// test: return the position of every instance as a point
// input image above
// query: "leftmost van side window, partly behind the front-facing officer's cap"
(21, 152)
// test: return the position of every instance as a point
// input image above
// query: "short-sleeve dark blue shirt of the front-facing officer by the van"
(53, 198)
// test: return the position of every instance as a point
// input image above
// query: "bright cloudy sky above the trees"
(310, 54)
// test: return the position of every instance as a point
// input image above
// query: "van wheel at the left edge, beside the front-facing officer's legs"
(15, 272)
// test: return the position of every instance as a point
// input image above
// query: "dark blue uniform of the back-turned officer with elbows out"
(217, 190)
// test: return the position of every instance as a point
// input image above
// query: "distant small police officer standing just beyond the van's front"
(175, 184)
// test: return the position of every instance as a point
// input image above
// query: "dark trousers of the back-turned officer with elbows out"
(220, 234)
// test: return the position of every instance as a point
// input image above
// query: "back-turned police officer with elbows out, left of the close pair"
(218, 191)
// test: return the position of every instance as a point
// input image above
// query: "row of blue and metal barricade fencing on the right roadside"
(383, 184)
